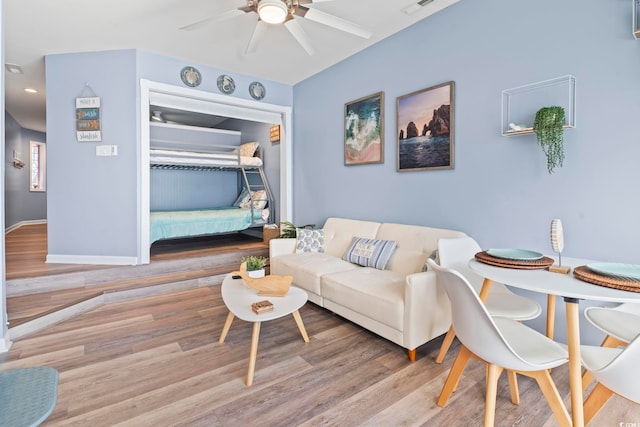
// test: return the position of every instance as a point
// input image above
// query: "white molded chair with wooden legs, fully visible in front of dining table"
(499, 342)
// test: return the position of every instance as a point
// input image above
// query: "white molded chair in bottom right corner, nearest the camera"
(616, 370)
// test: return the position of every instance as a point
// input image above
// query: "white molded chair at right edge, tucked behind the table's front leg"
(621, 324)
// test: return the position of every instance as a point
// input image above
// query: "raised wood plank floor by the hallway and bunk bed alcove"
(26, 249)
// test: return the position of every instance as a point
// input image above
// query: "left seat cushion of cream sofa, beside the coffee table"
(307, 268)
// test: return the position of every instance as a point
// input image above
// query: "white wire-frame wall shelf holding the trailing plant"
(520, 104)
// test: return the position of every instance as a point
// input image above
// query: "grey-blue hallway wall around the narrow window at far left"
(20, 203)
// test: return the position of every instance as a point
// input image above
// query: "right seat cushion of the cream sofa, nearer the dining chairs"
(378, 294)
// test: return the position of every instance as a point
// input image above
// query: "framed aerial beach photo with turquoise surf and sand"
(364, 130)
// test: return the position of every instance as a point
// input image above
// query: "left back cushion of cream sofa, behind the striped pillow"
(339, 232)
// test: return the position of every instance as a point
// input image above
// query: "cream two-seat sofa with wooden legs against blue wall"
(400, 302)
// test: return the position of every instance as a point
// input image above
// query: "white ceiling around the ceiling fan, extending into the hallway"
(35, 28)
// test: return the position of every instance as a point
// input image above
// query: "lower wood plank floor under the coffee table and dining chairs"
(156, 362)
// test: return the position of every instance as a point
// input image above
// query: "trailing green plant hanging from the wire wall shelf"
(549, 128)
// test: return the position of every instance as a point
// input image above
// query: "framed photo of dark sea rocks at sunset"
(425, 129)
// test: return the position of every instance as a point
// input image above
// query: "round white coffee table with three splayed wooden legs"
(238, 297)
